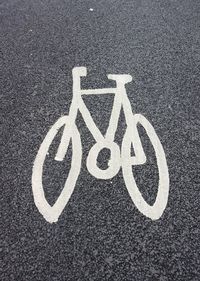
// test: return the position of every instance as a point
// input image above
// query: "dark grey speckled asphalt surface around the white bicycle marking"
(100, 235)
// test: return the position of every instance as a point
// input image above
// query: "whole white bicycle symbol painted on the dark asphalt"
(117, 159)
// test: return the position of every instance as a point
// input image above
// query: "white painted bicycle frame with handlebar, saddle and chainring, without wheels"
(107, 141)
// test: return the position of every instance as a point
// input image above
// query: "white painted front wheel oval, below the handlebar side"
(52, 213)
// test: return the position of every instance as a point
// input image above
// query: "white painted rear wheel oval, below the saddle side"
(131, 137)
